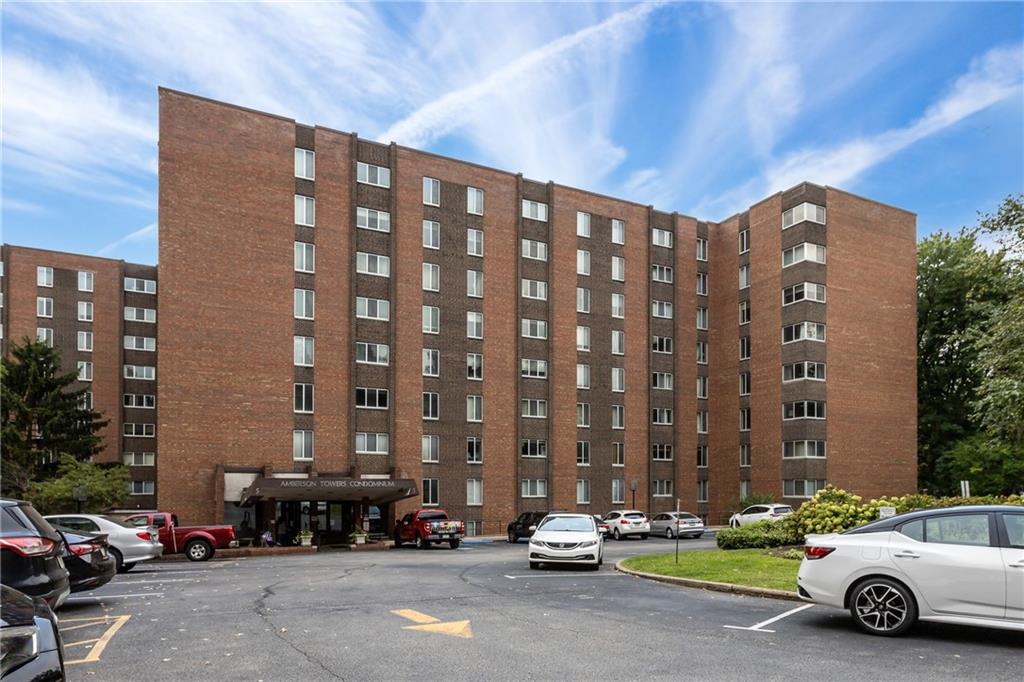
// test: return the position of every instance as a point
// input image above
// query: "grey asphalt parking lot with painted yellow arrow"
(479, 613)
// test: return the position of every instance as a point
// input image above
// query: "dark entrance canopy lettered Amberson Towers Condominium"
(326, 489)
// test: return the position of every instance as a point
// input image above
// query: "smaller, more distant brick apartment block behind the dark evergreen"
(101, 315)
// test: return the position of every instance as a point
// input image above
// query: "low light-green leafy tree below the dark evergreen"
(105, 487)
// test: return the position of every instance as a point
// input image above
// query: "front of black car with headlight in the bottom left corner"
(32, 648)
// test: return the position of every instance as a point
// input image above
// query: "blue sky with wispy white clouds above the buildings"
(702, 109)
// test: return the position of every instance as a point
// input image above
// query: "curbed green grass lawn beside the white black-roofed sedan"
(753, 568)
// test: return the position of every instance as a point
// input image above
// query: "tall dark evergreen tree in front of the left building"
(42, 416)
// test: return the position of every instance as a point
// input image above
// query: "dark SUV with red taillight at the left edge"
(31, 553)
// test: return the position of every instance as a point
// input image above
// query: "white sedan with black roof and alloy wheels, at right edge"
(963, 566)
